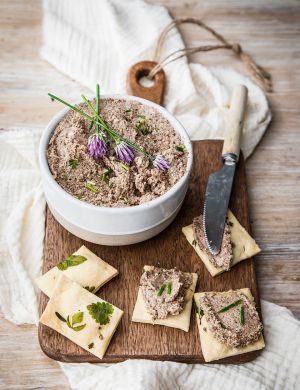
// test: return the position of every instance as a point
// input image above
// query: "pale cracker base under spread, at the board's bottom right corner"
(212, 349)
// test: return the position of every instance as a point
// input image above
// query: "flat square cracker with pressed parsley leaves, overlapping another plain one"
(67, 298)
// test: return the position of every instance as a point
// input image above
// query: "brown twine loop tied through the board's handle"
(259, 73)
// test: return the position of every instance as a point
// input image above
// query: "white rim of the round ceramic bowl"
(45, 170)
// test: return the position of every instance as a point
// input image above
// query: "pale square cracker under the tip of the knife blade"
(244, 245)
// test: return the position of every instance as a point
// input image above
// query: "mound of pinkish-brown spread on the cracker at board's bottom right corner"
(231, 318)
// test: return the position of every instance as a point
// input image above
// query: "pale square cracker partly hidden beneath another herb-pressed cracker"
(94, 272)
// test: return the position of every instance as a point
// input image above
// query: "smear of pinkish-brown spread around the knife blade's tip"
(223, 258)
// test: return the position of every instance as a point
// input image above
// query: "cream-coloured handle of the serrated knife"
(234, 125)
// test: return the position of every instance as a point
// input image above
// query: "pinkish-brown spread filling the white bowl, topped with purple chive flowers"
(98, 167)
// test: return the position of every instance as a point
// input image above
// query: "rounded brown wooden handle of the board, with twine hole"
(155, 93)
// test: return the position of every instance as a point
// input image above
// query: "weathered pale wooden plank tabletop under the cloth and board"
(268, 30)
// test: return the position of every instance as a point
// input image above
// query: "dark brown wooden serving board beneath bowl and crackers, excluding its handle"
(168, 249)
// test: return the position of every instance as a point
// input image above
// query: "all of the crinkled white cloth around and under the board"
(97, 41)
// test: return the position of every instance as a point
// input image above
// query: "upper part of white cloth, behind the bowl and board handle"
(97, 41)
